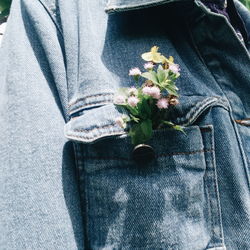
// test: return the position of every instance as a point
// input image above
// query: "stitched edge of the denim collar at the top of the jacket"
(125, 5)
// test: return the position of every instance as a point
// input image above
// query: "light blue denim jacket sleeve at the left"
(39, 200)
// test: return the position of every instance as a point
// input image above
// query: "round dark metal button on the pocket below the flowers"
(143, 154)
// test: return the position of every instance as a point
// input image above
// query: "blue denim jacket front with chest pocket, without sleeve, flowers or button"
(129, 207)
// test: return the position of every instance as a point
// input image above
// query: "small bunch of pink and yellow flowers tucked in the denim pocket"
(145, 107)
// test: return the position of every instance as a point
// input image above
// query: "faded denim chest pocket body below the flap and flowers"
(171, 202)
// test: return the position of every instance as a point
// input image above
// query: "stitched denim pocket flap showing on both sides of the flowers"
(99, 122)
